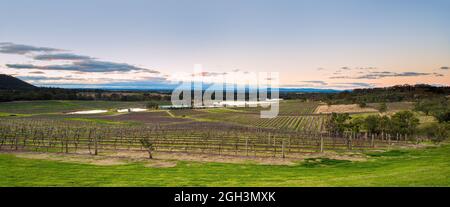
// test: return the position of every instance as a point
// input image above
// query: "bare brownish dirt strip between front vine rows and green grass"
(170, 159)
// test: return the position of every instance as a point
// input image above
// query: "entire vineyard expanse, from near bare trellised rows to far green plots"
(221, 131)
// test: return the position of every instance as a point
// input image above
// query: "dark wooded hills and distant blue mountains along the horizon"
(14, 89)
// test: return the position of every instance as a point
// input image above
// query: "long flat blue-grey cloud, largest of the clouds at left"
(85, 66)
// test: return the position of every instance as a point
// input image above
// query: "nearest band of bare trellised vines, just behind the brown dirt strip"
(66, 137)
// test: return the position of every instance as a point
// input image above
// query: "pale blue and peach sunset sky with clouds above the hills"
(337, 44)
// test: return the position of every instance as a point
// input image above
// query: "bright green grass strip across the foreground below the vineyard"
(424, 167)
